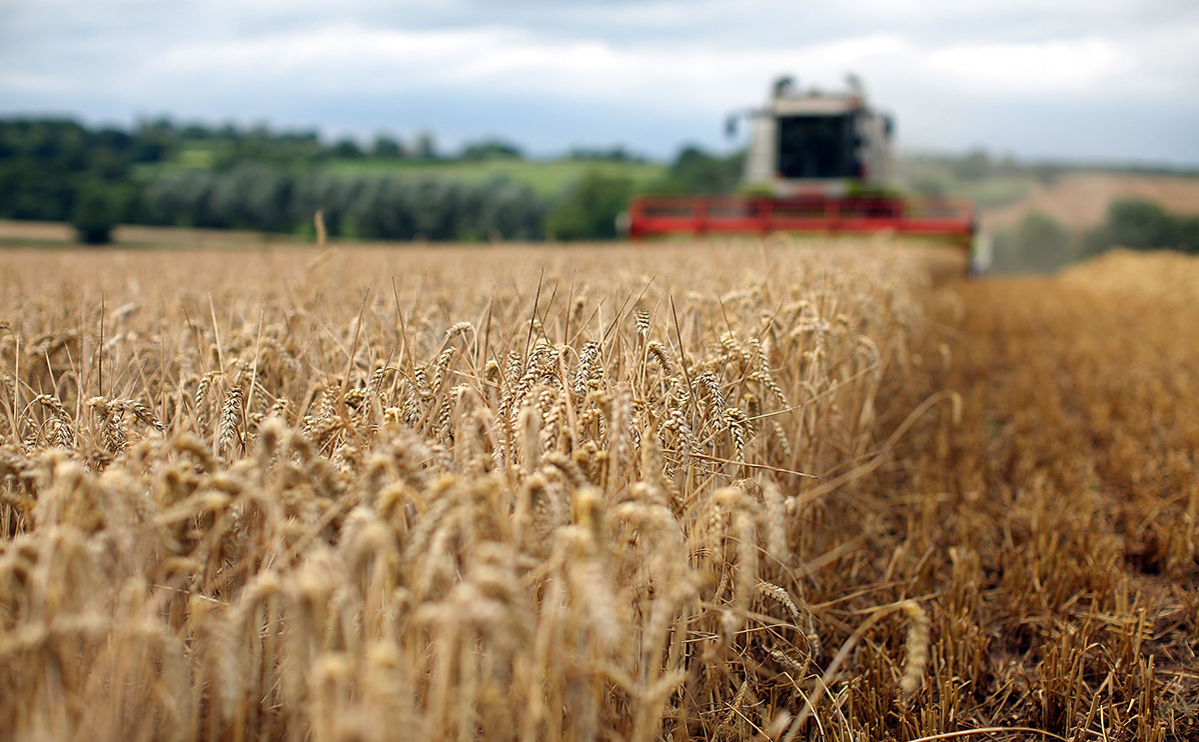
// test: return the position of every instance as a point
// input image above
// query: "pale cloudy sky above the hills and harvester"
(1094, 80)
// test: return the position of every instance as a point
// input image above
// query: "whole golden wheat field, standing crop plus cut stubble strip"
(775, 492)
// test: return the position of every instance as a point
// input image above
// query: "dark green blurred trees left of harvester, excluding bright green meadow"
(274, 182)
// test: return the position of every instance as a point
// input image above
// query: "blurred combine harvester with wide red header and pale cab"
(817, 164)
